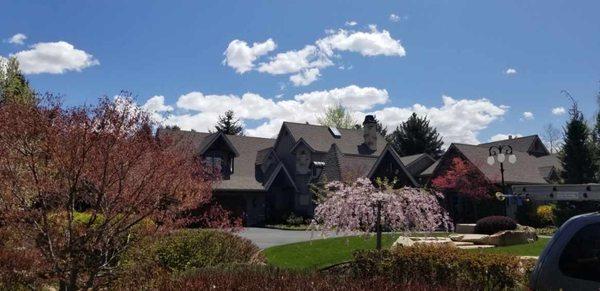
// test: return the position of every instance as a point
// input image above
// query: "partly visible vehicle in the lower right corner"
(571, 260)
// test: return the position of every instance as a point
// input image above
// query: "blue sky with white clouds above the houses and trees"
(479, 70)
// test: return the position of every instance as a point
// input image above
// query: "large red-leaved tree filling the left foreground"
(78, 186)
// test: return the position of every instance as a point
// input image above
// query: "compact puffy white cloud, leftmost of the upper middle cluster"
(241, 57)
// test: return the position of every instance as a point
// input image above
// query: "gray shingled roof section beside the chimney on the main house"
(320, 139)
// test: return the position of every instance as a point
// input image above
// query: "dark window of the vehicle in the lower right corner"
(581, 257)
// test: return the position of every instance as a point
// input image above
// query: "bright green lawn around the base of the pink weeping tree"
(322, 253)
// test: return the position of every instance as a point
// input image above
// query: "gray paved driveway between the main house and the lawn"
(267, 237)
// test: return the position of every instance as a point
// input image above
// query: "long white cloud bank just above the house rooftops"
(457, 120)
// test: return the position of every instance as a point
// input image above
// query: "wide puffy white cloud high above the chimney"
(371, 43)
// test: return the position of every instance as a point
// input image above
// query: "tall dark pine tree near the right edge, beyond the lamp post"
(577, 152)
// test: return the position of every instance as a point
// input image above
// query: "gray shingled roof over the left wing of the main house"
(244, 176)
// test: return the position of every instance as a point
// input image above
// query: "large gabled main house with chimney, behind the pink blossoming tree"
(266, 179)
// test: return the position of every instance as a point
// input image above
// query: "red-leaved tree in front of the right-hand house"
(464, 179)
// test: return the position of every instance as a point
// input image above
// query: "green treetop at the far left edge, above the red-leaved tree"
(13, 85)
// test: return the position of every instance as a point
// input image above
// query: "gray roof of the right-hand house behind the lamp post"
(534, 165)
